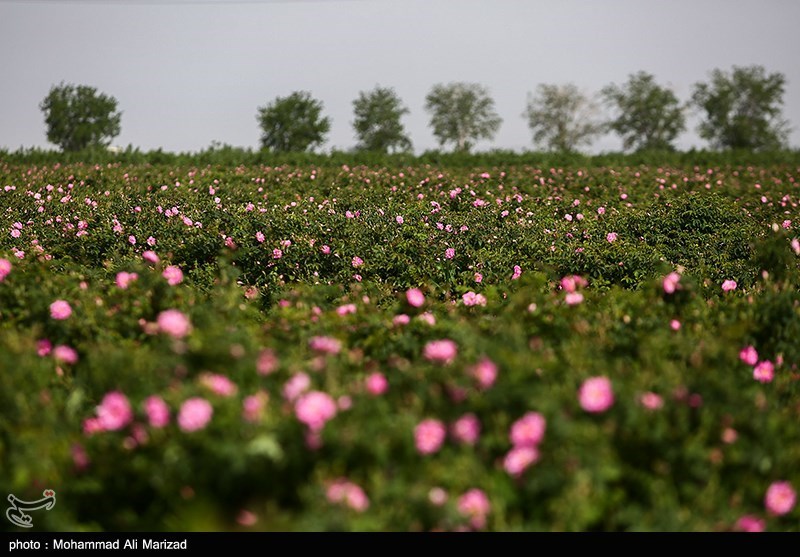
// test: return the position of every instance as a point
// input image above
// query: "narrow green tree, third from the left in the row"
(377, 121)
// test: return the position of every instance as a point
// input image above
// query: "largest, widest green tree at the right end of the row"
(742, 109)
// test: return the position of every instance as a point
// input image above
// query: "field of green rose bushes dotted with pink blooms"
(401, 347)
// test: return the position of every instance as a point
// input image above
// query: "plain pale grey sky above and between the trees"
(187, 73)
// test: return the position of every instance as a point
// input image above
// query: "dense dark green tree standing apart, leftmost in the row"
(78, 117)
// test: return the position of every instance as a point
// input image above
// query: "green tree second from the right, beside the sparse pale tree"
(649, 117)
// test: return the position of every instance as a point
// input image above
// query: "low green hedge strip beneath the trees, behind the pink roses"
(226, 155)
